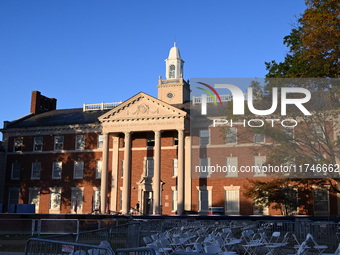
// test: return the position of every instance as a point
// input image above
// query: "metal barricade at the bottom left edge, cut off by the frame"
(37, 246)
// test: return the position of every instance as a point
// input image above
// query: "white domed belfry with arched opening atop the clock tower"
(174, 64)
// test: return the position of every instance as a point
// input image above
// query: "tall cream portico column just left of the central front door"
(126, 175)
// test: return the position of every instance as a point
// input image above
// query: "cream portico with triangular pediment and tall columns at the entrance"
(141, 113)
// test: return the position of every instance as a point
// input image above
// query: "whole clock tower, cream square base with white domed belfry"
(173, 90)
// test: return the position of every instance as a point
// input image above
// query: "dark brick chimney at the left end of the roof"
(40, 103)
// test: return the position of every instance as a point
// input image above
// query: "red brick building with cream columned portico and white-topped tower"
(109, 157)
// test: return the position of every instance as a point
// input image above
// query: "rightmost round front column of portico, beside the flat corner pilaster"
(180, 178)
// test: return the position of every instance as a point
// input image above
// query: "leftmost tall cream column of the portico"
(103, 178)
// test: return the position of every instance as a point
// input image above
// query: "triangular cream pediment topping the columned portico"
(142, 106)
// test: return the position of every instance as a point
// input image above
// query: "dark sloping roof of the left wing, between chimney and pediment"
(57, 118)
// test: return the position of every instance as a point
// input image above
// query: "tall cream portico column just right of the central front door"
(157, 174)
